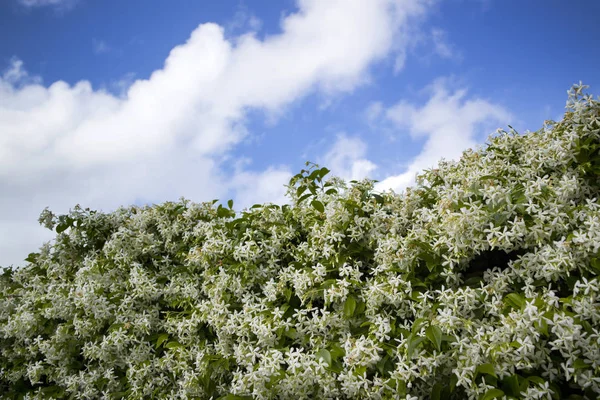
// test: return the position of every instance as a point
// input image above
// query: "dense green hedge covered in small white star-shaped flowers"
(480, 282)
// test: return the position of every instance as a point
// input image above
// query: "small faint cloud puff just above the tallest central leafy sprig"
(346, 158)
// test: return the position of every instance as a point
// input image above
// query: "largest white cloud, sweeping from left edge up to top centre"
(168, 135)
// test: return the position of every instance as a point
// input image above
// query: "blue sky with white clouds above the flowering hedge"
(108, 103)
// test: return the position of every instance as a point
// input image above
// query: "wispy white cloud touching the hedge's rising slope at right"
(450, 124)
